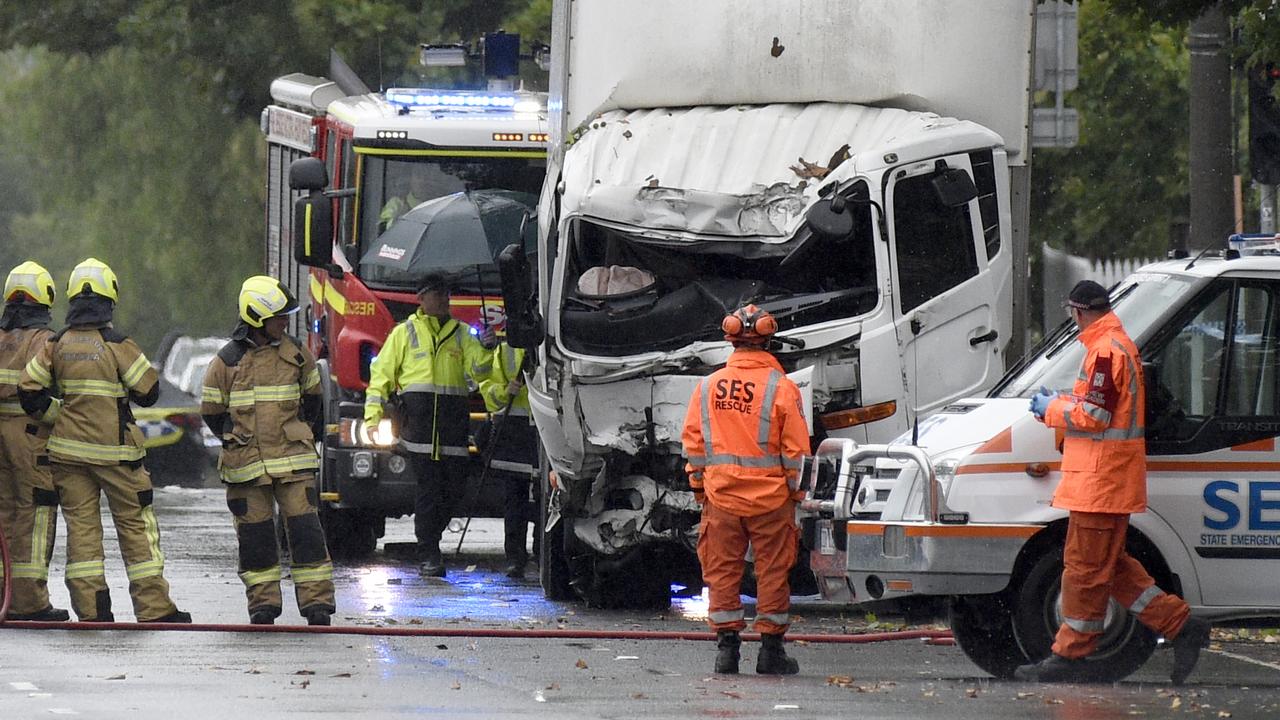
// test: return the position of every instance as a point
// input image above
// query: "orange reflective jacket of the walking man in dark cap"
(1104, 448)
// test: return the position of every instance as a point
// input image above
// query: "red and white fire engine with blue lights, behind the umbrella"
(337, 163)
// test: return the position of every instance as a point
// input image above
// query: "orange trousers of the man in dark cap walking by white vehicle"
(1095, 569)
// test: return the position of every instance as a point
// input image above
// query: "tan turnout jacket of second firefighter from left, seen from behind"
(98, 372)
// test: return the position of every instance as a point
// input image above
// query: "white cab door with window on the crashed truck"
(944, 291)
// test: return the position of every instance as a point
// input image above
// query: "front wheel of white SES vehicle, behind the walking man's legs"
(1126, 644)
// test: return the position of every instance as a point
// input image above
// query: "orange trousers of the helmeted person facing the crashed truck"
(723, 550)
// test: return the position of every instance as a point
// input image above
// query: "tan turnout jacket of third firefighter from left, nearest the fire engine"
(254, 395)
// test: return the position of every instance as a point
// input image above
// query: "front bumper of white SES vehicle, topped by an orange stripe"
(889, 560)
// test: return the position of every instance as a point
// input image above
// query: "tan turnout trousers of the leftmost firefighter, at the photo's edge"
(29, 512)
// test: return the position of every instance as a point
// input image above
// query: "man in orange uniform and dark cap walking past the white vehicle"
(1104, 482)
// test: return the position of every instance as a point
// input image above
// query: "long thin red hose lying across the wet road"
(474, 632)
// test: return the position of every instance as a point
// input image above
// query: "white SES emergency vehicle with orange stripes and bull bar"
(966, 512)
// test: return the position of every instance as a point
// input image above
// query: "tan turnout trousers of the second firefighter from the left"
(129, 496)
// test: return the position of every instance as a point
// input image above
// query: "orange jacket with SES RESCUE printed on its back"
(746, 435)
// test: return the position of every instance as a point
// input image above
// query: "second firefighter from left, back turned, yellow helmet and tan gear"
(95, 448)
